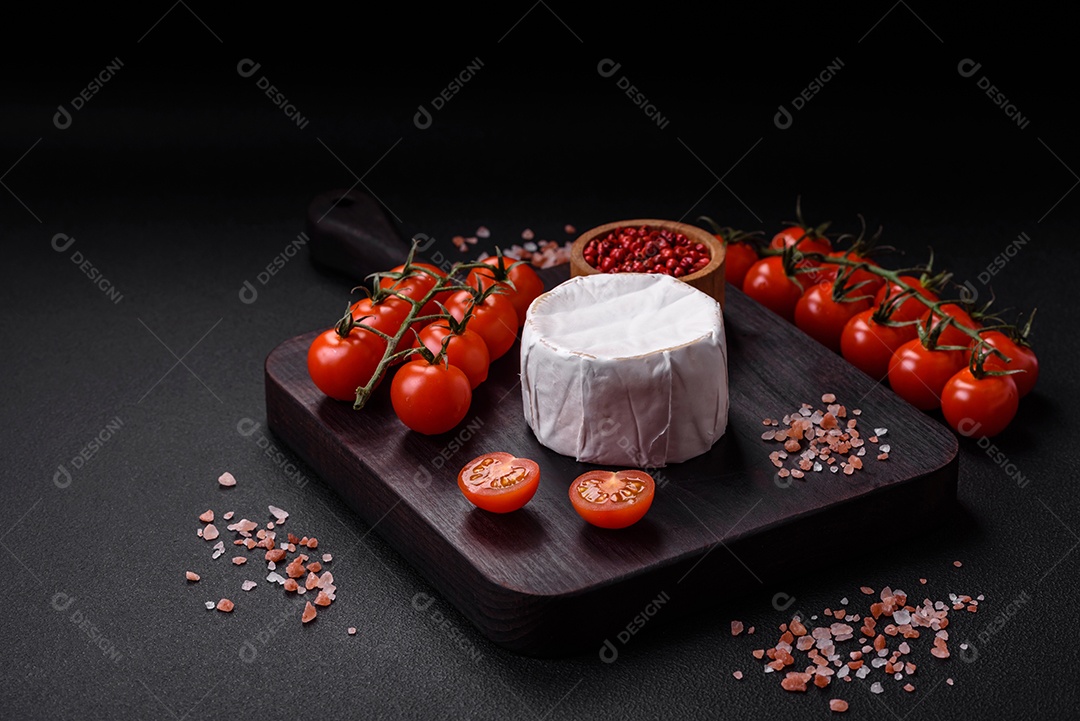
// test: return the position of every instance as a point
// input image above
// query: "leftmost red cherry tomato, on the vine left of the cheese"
(339, 366)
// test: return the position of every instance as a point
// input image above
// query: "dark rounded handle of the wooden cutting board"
(350, 234)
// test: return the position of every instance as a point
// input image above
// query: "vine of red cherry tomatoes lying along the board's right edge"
(934, 352)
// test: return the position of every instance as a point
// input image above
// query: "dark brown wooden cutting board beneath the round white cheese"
(541, 581)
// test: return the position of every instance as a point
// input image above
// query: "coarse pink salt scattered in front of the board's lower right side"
(846, 646)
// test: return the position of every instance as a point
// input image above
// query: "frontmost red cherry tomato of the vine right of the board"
(980, 407)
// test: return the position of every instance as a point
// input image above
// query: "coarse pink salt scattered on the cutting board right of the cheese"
(815, 440)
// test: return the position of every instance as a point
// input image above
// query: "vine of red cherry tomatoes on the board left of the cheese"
(445, 335)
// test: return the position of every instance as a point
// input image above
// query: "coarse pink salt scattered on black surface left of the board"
(275, 551)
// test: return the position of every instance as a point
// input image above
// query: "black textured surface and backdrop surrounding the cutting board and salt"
(181, 181)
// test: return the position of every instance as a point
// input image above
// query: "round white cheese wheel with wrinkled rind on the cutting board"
(626, 370)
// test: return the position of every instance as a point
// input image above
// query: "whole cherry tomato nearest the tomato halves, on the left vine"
(430, 399)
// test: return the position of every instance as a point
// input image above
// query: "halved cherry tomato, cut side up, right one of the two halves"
(611, 499)
